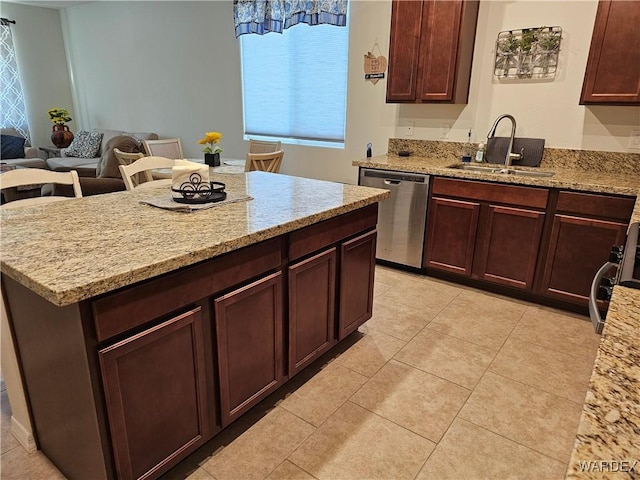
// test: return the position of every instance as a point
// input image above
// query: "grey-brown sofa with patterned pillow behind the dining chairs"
(100, 174)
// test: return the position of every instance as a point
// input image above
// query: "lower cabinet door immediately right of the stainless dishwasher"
(451, 235)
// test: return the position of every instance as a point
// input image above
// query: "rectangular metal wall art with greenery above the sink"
(528, 53)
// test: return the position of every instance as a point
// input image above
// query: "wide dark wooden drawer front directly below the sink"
(491, 192)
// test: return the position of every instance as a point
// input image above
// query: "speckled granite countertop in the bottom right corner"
(608, 440)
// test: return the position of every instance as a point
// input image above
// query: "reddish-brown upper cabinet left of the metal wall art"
(431, 49)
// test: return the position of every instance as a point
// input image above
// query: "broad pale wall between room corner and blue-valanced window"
(172, 68)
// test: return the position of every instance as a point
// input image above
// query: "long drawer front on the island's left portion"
(134, 306)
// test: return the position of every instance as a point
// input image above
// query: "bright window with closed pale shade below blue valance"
(295, 84)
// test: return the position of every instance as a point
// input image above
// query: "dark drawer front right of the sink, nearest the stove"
(590, 204)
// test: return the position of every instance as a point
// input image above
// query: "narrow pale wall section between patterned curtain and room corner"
(42, 63)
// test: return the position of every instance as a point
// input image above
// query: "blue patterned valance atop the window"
(264, 16)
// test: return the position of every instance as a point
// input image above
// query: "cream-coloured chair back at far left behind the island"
(35, 176)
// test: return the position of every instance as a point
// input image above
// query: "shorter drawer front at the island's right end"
(314, 237)
